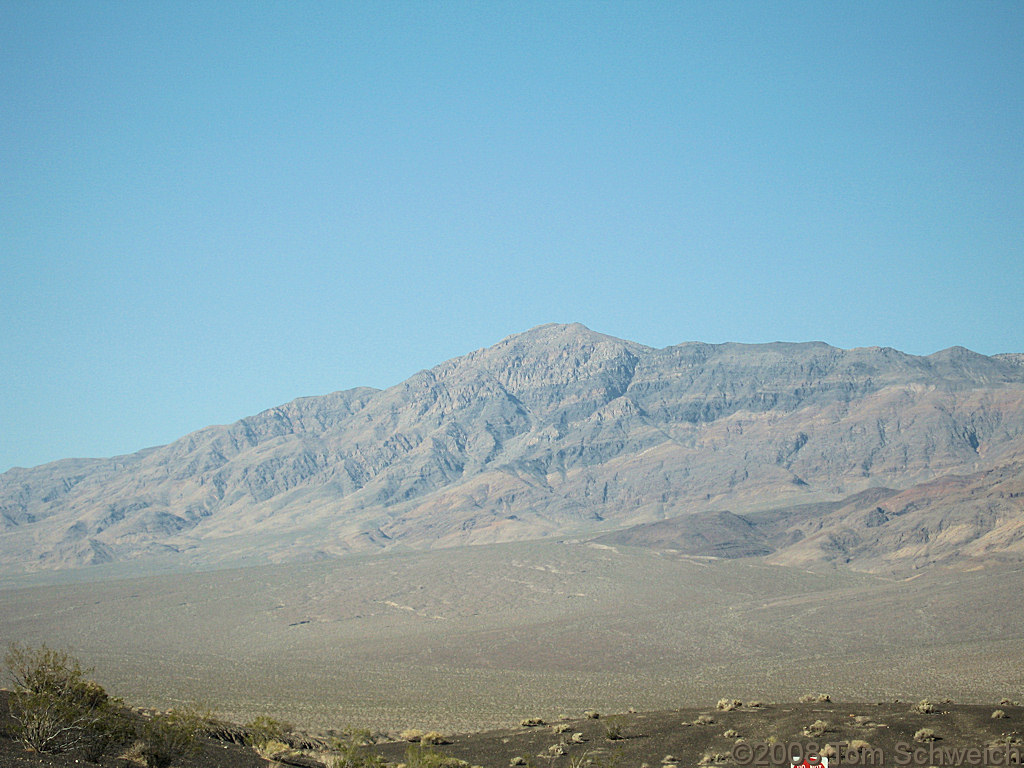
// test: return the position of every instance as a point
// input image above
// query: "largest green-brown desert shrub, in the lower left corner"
(55, 707)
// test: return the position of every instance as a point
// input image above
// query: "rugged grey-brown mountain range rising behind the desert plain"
(567, 433)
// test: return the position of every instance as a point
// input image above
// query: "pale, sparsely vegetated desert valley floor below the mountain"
(481, 637)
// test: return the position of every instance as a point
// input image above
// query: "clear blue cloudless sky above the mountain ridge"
(208, 209)
